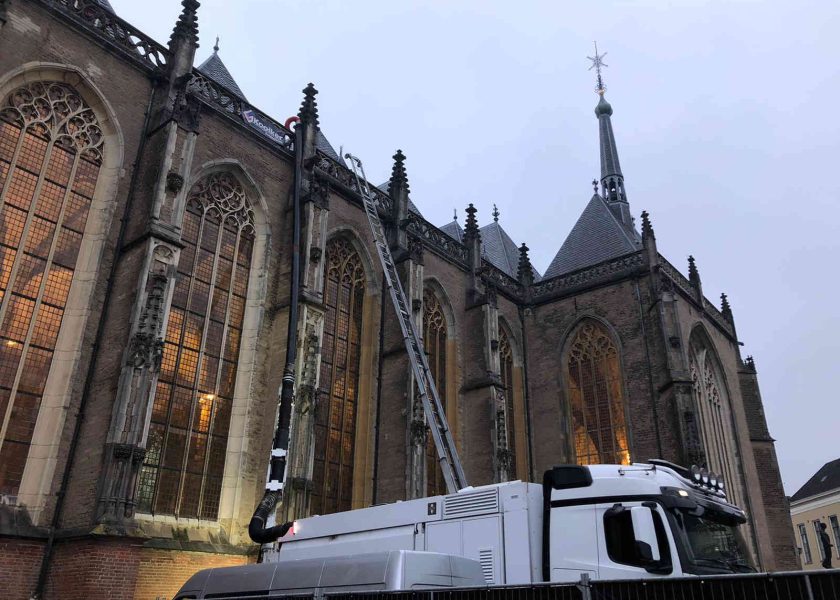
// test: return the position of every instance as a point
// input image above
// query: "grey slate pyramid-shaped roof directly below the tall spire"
(598, 235)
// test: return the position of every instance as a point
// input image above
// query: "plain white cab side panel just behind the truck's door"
(573, 543)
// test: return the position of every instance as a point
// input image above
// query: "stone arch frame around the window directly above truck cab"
(565, 408)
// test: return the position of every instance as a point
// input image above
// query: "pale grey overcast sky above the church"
(724, 115)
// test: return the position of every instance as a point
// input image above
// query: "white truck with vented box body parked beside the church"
(606, 521)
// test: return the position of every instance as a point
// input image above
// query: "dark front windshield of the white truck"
(714, 543)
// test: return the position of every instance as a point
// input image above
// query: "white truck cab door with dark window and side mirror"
(618, 549)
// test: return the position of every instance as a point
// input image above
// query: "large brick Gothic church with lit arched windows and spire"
(145, 251)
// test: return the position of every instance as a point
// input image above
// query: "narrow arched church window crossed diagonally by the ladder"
(434, 343)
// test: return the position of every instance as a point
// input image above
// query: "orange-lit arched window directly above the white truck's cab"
(596, 397)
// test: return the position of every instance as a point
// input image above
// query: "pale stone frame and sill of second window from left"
(238, 496)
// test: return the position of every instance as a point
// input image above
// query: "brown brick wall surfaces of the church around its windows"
(91, 560)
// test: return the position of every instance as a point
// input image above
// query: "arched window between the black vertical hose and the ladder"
(335, 414)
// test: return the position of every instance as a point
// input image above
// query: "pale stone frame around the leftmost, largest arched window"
(63, 381)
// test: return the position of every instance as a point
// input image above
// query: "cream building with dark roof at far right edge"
(818, 501)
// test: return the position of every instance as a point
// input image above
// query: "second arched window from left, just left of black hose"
(182, 472)
